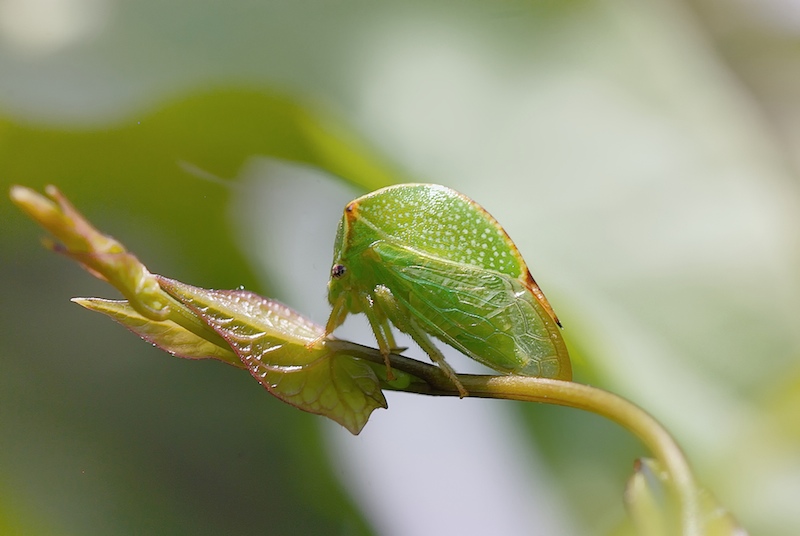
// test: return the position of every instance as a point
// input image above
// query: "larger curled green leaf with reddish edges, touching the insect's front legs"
(284, 352)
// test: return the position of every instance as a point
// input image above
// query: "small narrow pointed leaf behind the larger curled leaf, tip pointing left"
(165, 334)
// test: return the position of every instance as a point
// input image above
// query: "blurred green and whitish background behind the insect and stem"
(643, 155)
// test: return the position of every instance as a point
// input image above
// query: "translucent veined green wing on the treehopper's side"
(489, 316)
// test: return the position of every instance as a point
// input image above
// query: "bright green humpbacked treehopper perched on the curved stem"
(432, 262)
